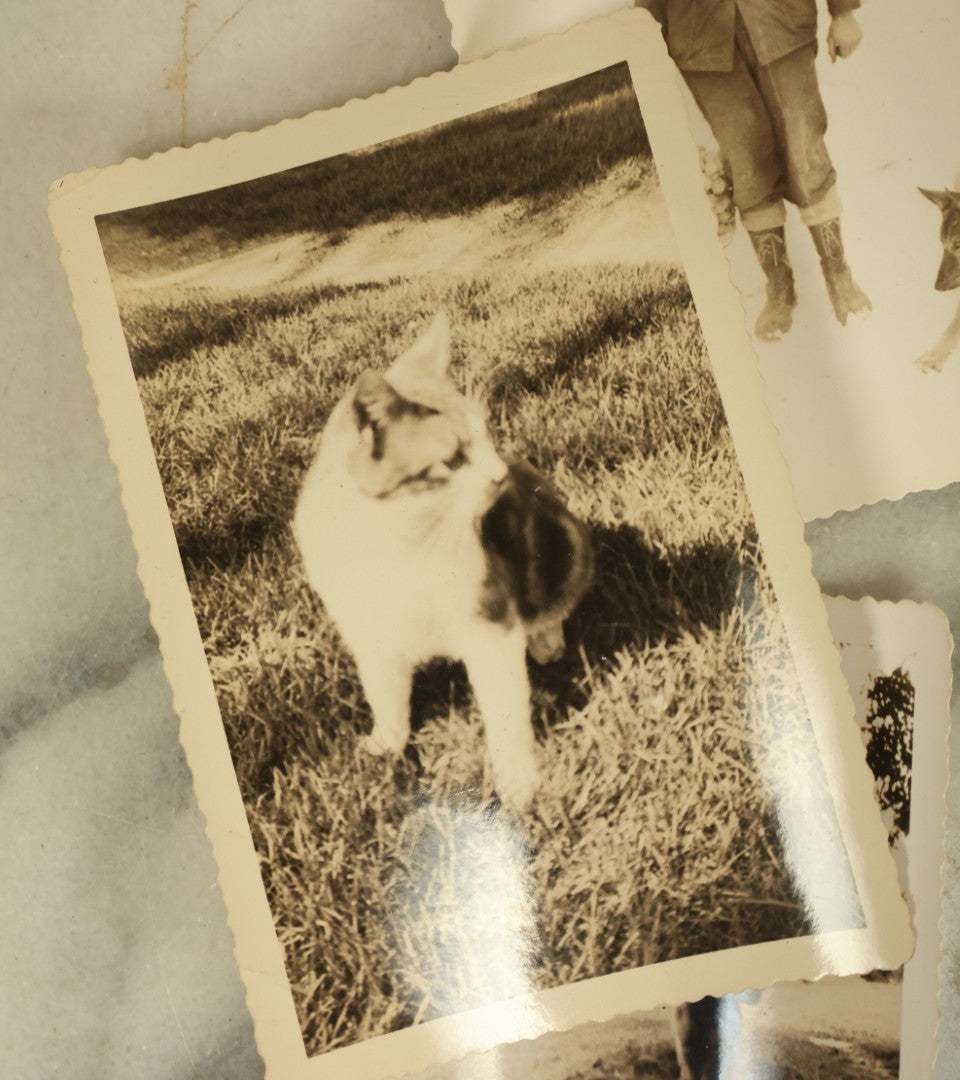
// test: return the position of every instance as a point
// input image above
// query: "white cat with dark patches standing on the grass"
(423, 543)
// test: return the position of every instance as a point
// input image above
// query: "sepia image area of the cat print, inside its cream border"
(503, 673)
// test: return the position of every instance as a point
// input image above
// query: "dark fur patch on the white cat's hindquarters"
(539, 560)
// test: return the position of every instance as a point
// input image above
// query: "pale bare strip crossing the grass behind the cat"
(613, 222)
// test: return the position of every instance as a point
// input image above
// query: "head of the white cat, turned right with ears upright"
(416, 433)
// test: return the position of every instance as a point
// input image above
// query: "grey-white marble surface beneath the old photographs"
(115, 956)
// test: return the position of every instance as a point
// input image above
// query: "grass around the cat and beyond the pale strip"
(405, 893)
